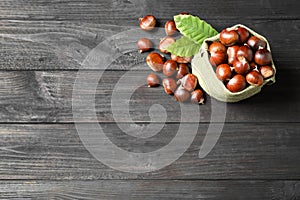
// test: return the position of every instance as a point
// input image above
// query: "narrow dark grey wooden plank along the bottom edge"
(151, 189)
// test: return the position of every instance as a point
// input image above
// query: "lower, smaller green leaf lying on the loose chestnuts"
(184, 47)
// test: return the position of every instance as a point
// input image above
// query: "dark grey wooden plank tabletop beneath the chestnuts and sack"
(44, 44)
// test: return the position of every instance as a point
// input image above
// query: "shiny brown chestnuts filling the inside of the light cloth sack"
(240, 59)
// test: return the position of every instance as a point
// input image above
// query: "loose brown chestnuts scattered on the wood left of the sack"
(178, 80)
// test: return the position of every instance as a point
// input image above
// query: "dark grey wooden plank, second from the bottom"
(245, 151)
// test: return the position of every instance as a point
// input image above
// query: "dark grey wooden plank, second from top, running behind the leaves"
(55, 45)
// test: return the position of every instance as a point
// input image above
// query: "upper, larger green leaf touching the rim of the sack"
(194, 28)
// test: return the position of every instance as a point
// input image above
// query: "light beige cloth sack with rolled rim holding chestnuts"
(208, 80)
